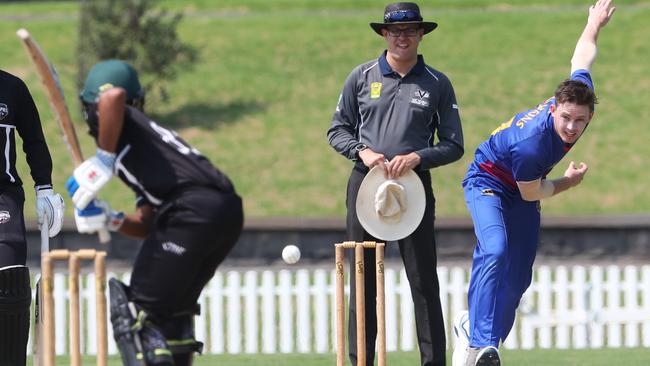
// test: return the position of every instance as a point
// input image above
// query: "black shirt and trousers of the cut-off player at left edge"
(18, 113)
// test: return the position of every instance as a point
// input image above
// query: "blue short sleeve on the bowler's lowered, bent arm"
(527, 160)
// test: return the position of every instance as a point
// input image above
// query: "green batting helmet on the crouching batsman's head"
(110, 73)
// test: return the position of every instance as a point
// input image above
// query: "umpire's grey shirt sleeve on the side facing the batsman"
(343, 133)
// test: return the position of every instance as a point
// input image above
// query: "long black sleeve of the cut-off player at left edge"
(29, 128)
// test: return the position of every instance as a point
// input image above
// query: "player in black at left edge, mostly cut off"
(18, 113)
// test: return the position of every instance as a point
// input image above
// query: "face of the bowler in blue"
(570, 120)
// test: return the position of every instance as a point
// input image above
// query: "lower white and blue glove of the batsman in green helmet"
(97, 216)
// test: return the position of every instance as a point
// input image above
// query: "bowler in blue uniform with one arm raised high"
(503, 187)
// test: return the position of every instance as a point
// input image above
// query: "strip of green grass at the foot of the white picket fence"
(601, 357)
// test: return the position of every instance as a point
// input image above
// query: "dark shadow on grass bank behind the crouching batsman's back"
(208, 116)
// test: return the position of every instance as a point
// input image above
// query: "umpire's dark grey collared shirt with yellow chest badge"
(396, 115)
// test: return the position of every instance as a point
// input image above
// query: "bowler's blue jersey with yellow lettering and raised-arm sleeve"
(524, 148)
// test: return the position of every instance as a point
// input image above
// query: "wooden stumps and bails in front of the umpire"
(360, 301)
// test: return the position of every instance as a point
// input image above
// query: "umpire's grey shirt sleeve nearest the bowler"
(449, 131)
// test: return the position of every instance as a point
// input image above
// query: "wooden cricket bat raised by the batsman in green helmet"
(50, 80)
